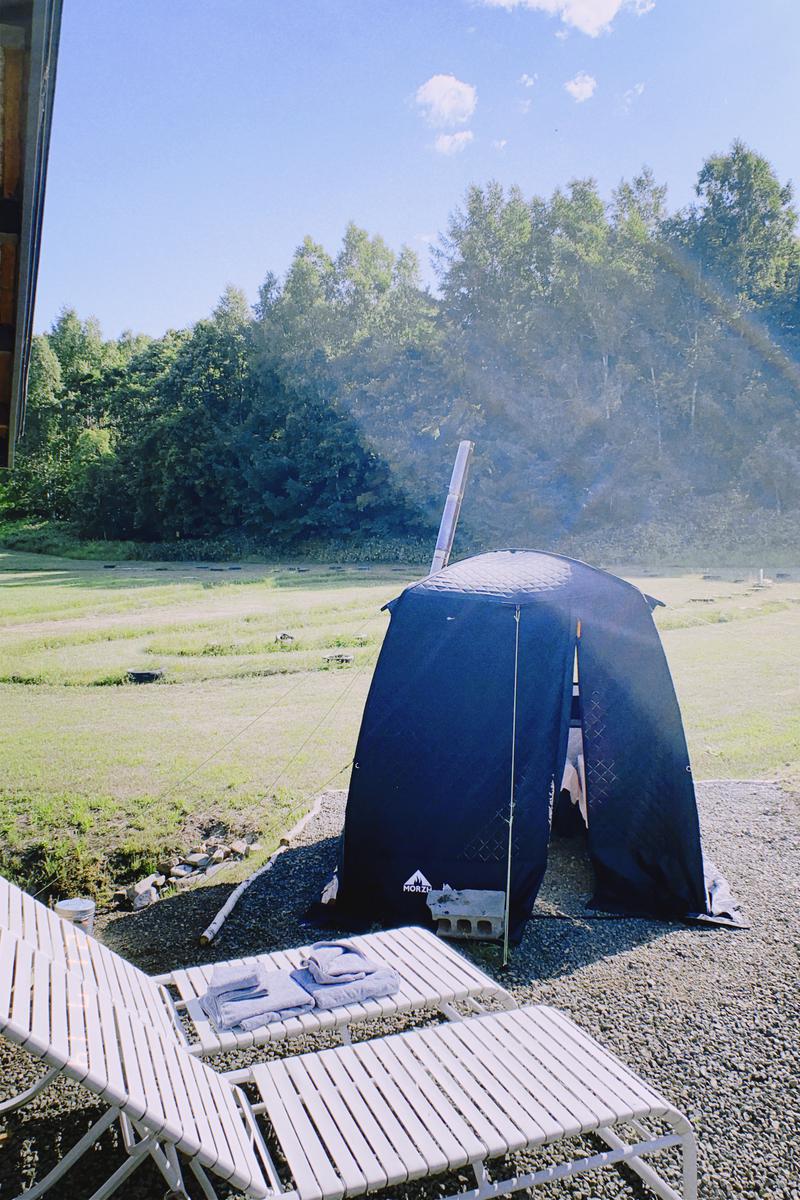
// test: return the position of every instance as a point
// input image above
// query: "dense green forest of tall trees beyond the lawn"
(630, 376)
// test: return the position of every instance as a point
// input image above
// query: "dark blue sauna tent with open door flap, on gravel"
(431, 784)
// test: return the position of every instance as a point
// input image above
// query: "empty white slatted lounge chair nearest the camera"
(345, 1121)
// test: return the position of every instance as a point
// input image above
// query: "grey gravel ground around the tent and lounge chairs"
(711, 1017)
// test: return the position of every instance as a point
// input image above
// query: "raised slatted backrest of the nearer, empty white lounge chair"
(164, 1097)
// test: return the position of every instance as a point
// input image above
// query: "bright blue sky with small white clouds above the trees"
(196, 142)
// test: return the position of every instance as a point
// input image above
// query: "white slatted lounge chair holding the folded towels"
(432, 976)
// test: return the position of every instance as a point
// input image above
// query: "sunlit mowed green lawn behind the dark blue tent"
(101, 777)
